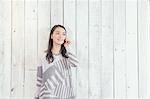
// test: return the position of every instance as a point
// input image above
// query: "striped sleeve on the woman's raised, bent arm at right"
(73, 60)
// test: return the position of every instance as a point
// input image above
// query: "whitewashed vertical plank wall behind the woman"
(111, 39)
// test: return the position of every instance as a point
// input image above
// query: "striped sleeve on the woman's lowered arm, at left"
(38, 79)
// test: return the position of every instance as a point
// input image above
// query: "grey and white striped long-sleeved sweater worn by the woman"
(54, 80)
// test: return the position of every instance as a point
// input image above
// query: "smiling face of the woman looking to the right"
(58, 36)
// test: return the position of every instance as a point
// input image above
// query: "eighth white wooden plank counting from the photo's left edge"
(95, 41)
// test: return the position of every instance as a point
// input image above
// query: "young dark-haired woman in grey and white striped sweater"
(54, 71)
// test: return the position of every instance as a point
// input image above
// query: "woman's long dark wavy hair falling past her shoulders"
(49, 55)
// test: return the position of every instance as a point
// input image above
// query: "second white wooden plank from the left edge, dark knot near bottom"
(17, 80)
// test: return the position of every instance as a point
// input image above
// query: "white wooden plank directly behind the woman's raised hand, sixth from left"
(70, 25)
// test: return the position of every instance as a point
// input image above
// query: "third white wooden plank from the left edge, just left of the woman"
(30, 48)
